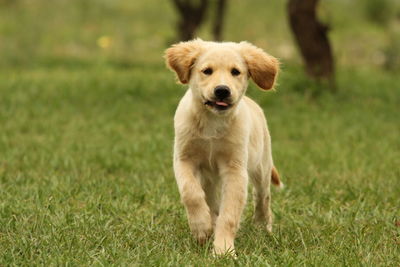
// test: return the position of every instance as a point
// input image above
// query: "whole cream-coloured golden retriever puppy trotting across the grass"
(221, 137)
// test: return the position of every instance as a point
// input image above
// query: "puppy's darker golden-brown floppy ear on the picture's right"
(263, 68)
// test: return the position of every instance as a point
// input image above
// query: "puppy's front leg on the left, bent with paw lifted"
(193, 198)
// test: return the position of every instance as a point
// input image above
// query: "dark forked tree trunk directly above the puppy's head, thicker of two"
(192, 14)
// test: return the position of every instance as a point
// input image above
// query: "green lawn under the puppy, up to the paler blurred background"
(86, 173)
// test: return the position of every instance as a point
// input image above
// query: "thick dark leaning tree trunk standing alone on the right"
(311, 37)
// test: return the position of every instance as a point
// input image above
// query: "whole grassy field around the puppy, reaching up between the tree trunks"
(86, 144)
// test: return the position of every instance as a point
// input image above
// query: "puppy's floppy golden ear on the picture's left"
(181, 57)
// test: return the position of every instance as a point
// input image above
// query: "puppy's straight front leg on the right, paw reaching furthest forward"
(234, 193)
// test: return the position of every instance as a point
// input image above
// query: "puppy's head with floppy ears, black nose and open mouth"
(218, 73)
